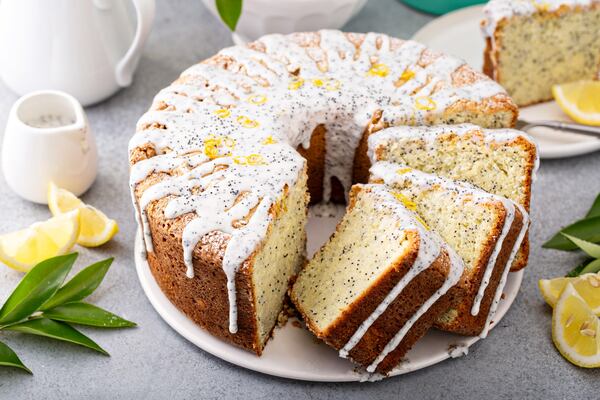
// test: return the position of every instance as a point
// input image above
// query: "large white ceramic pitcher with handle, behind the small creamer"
(87, 48)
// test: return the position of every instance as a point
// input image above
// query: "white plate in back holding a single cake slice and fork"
(458, 34)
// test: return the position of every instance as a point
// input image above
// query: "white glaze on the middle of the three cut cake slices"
(386, 171)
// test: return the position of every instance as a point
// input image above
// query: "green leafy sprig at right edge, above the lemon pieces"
(584, 235)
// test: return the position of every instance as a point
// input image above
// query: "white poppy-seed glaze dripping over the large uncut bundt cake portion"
(209, 100)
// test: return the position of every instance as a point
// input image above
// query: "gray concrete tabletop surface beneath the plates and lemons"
(517, 360)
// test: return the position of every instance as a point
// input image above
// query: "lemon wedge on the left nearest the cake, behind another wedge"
(96, 227)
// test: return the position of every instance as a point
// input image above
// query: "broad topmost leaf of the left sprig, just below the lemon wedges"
(36, 287)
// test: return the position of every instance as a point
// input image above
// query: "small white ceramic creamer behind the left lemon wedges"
(48, 139)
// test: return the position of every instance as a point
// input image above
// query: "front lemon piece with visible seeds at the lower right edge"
(576, 330)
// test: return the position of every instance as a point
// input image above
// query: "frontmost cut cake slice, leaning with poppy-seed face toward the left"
(379, 283)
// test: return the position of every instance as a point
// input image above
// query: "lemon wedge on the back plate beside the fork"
(579, 100)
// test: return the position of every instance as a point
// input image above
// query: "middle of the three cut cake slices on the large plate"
(486, 230)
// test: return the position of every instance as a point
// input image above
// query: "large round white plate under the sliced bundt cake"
(294, 352)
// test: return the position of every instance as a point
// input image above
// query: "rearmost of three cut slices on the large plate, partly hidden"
(499, 161)
